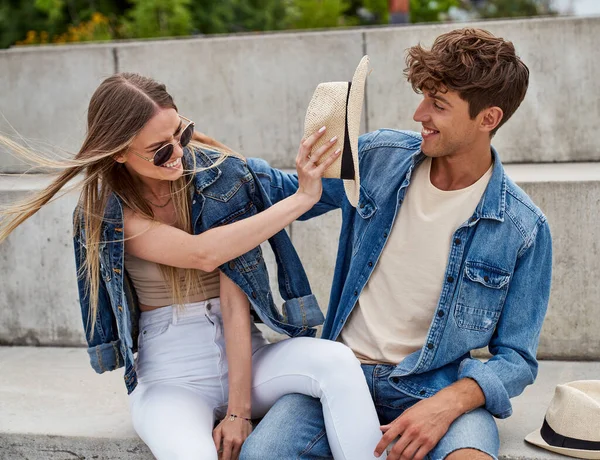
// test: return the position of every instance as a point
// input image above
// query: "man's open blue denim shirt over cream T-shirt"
(497, 281)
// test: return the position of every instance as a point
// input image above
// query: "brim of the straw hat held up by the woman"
(355, 104)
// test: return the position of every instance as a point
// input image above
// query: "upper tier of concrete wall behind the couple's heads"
(252, 91)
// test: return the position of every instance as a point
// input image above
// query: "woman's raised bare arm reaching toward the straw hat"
(167, 245)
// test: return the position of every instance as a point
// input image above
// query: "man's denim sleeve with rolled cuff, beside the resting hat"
(514, 344)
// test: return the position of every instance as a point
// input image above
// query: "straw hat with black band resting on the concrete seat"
(572, 423)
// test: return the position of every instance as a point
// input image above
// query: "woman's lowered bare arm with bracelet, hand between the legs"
(230, 434)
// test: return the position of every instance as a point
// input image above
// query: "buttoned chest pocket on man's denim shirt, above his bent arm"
(481, 296)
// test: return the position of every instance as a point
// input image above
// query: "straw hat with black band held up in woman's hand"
(338, 105)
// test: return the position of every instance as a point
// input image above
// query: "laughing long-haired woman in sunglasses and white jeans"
(173, 231)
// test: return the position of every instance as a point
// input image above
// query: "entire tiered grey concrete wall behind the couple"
(252, 92)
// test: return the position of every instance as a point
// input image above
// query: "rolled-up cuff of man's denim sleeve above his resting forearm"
(497, 401)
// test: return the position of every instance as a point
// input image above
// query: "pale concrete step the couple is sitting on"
(54, 407)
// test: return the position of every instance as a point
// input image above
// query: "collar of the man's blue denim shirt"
(493, 202)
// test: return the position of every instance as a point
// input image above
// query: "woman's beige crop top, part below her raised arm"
(153, 291)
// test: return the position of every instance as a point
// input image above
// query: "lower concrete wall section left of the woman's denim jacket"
(38, 290)
